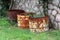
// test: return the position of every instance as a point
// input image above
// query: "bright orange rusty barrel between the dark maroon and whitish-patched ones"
(23, 21)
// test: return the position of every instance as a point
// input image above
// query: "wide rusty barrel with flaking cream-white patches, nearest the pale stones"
(39, 24)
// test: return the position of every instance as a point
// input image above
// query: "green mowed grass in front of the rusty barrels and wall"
(12, 32)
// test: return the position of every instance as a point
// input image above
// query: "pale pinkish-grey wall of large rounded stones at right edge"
(54, 13)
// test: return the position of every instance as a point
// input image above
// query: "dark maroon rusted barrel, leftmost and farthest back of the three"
(12, 14)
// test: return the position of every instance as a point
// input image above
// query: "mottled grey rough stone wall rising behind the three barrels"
(35, 6)
